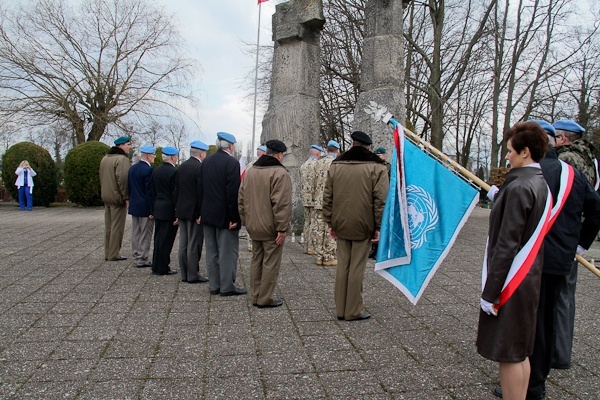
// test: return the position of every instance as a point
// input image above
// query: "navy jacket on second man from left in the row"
(140, 189)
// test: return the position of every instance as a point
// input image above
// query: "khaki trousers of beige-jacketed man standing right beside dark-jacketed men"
(264, 270)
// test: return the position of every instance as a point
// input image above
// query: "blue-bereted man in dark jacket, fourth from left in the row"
(191, 235)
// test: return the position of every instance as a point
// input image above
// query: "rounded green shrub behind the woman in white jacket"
(44, 183)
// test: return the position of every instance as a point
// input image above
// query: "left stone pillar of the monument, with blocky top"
(293, 113)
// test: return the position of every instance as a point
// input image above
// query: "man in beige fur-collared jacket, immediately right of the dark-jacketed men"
(265, 206)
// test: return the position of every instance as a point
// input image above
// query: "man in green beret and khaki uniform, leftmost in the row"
(114, 168)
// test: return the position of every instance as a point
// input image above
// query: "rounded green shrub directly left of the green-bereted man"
(82, 173)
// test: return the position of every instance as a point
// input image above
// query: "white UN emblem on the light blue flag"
(422, 215)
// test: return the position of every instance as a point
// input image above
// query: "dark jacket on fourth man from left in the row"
(188, 189)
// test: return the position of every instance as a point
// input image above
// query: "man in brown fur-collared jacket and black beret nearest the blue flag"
(353, 201)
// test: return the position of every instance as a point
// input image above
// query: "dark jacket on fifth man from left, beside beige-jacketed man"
(219, 185)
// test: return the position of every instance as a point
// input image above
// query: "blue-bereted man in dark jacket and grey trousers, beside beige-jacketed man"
(219, 185)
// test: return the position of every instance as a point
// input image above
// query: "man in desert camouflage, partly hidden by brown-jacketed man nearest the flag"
(325, 246)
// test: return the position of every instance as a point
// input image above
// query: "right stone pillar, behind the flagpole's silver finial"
(382, 69)
